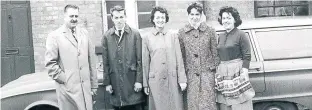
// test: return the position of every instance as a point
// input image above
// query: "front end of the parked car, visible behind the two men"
(36, 91)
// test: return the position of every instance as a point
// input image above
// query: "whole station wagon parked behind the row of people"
(280, 70)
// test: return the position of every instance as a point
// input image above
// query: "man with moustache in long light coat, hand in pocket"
(70, 62)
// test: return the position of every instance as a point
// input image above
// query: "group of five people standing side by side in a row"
(192, 69)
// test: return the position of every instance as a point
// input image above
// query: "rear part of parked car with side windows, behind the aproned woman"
(281, 61)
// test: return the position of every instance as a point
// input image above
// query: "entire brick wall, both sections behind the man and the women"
(48, 16)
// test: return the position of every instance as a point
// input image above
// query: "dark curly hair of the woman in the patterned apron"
(233, 12)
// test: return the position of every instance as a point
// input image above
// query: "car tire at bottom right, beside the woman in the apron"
(275, 106)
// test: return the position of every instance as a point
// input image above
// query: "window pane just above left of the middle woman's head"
(145, 6)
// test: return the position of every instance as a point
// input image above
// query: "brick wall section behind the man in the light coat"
(48, 15)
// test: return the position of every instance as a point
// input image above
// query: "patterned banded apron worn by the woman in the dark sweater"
(232, 87)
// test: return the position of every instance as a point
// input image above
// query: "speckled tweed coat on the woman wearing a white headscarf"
(200, 59)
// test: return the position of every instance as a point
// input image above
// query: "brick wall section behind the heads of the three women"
(178, 14)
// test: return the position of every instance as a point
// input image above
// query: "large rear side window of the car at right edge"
(285, 44)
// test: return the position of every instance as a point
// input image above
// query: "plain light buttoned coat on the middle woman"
(163, 69)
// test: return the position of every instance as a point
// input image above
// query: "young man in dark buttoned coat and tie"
(122, 52)
